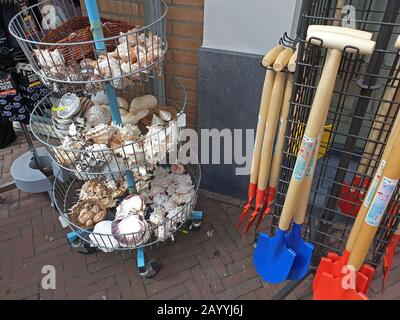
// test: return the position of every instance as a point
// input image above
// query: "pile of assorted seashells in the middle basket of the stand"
(89, 139)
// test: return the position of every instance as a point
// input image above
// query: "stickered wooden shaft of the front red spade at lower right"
(376, 209)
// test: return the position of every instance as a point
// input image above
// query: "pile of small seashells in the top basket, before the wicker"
(133, 54)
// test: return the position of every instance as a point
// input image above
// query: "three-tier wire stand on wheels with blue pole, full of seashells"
(111, 124)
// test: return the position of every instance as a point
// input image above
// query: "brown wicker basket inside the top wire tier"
(77, 29)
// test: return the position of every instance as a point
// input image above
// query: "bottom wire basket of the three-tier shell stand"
(67, 189)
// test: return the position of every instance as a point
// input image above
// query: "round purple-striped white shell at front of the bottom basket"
(129, 231)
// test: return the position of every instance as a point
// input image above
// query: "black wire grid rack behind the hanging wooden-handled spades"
(360, 90)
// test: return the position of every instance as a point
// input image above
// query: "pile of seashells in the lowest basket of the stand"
(159, 208)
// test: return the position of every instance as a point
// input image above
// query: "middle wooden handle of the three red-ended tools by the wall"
(270, 130)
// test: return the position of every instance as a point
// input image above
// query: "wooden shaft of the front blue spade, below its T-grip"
(316, 120)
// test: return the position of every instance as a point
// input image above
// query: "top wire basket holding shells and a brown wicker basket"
(59, 44)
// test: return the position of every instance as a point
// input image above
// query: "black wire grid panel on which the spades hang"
(327, 227)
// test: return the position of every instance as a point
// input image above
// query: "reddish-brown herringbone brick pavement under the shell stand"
(196, 266)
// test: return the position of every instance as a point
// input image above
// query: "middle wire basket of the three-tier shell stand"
(149, 145)
